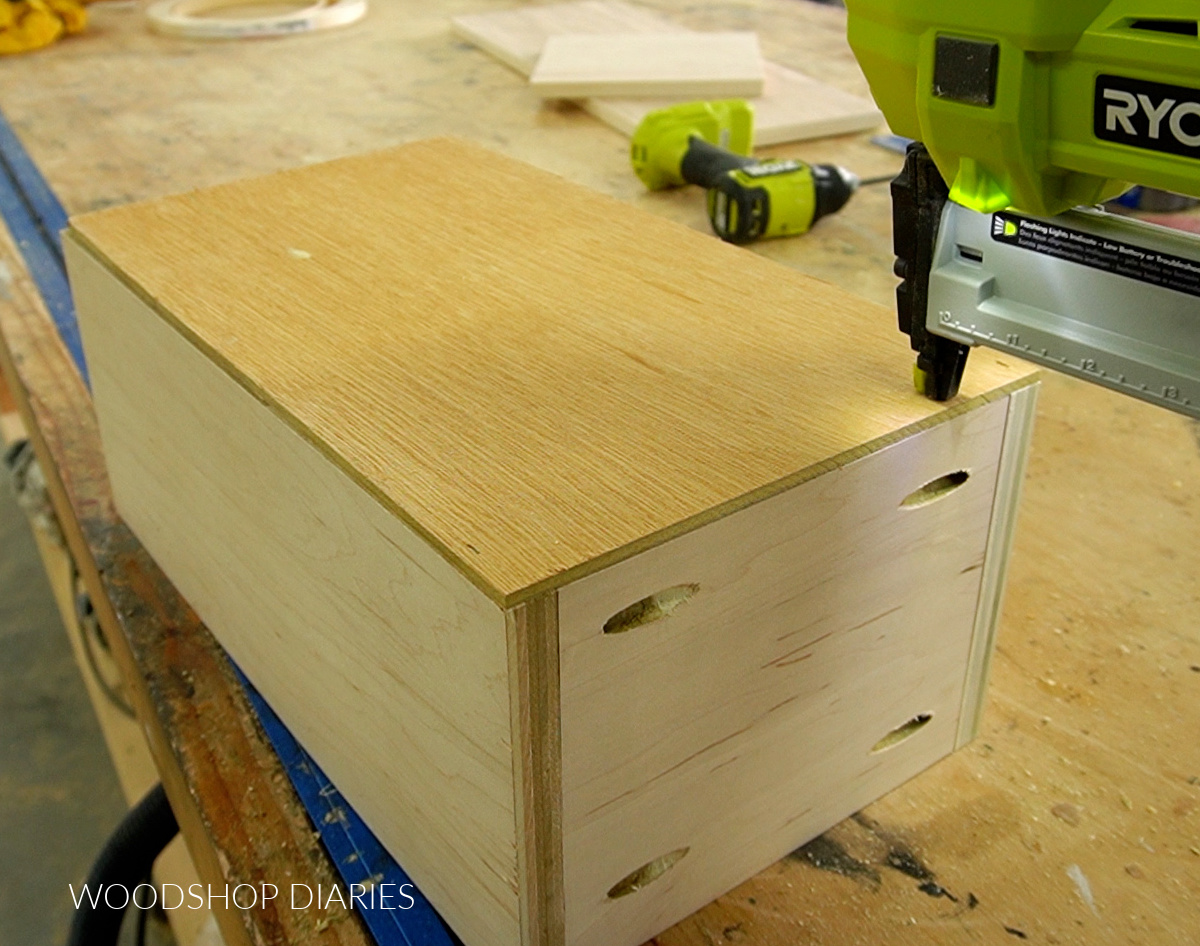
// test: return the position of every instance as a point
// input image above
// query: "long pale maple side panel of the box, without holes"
(388, 666)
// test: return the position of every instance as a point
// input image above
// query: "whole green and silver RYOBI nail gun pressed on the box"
(1027, 115)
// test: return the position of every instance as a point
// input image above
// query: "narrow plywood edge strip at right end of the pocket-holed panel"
(1010, 478)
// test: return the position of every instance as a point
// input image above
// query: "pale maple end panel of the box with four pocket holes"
(749, 719)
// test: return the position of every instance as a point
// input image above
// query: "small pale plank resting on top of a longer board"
(682, 65)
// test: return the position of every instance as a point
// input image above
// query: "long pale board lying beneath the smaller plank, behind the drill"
(793, 107)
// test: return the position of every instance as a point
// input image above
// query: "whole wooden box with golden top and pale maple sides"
(595, 560)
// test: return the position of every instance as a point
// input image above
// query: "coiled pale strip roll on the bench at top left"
(195, 19)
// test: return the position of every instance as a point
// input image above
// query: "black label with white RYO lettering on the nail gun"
(1148, 115)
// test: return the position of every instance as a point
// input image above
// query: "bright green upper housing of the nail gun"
(1040, 105)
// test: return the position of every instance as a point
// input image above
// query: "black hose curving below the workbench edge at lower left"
(125, 860)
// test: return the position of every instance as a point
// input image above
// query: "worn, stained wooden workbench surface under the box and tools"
(1076, 816)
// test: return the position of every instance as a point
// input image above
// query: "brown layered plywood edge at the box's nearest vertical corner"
(537, 762)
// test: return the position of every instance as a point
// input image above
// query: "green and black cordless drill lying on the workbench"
(709, 145)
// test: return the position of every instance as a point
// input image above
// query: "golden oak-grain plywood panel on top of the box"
(413, 340)
